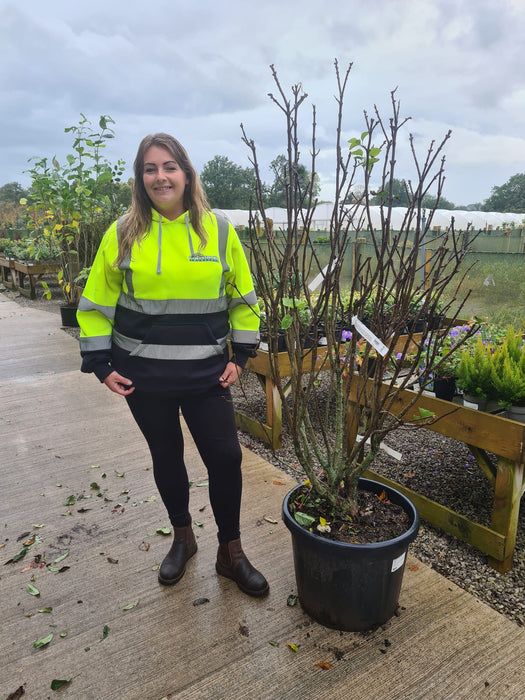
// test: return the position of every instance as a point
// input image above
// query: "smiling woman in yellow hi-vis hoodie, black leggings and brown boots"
(169, 286)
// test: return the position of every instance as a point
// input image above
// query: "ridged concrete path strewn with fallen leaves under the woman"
(75, 475)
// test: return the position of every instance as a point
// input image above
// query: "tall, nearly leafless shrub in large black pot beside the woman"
(346, 577)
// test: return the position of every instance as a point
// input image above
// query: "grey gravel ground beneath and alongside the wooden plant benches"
(433, 465)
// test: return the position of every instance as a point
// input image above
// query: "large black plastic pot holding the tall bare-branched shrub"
(345, 586)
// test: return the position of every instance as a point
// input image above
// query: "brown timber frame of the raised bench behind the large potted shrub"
(482, 432)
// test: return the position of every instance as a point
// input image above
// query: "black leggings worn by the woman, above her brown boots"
(211, 421)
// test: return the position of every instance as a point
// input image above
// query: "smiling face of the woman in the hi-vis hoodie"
(164, 181)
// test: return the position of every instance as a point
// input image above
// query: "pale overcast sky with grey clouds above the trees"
(198, 69)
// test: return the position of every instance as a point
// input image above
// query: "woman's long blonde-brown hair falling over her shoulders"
(137, 222)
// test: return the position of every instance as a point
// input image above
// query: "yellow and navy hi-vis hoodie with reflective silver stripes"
(163, 317)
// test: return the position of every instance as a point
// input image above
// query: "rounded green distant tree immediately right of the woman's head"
(227, 185)
